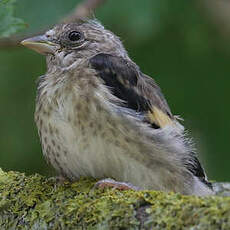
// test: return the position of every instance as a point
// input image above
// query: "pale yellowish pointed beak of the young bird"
(40, 44)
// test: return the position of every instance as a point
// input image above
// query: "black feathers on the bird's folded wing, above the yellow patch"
(121, 77)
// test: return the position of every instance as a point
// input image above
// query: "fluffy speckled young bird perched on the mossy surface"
(99, 116)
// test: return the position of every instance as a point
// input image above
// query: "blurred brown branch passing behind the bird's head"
(83, 10)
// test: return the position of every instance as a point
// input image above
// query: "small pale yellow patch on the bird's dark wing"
(159, 118)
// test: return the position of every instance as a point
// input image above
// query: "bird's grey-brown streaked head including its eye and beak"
(65, 43)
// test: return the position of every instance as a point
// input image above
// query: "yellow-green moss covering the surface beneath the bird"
(35, 202)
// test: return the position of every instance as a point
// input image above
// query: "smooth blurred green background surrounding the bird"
(173, 41)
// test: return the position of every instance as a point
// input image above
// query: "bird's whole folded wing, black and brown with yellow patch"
(139, 92)
